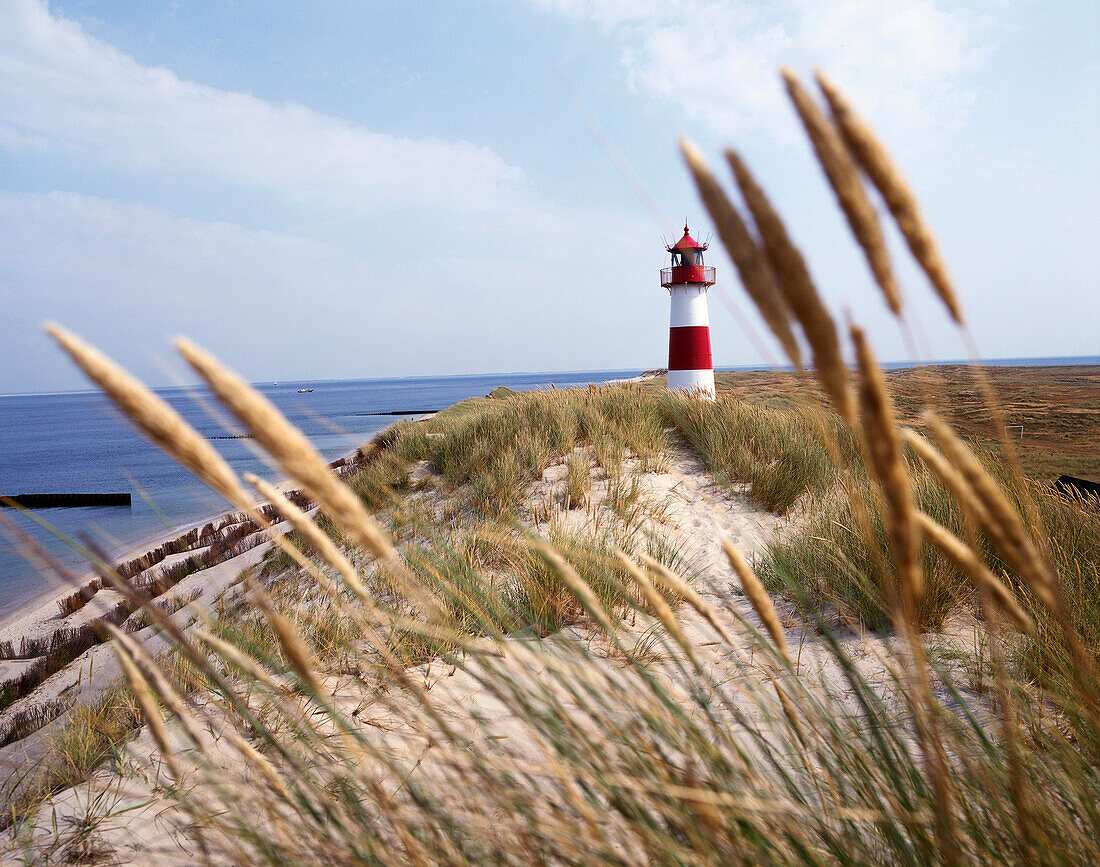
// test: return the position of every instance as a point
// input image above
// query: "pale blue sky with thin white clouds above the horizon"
(347, 190)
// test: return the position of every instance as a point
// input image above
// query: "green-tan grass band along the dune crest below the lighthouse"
(837, 552)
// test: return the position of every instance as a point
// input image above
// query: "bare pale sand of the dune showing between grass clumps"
(135, 824)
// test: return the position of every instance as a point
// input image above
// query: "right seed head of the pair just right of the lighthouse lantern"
(798, 288)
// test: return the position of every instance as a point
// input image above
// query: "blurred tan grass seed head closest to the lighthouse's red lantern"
(750, 260)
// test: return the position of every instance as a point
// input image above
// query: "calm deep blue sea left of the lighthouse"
(79, 443)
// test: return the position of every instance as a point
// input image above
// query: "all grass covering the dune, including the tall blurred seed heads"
(621, 709)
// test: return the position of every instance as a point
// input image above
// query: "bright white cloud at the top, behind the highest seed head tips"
(906, 62)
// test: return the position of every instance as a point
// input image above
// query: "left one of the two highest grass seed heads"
(844, 178)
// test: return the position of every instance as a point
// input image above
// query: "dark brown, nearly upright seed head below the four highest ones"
(884, 447)
